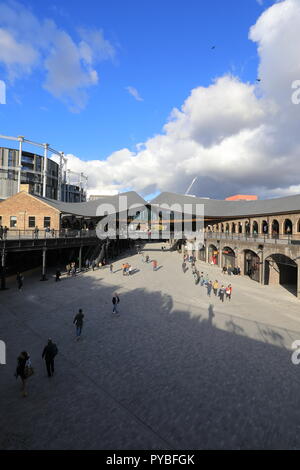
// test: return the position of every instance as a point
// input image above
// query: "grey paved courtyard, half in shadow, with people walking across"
(175, 370)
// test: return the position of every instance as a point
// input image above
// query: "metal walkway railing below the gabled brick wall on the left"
(13, 234)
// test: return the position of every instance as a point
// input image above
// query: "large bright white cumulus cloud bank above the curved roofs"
(236, 137)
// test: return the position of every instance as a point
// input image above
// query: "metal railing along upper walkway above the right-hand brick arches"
(283, 239)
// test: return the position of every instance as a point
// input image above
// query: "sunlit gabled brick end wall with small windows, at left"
(23, 206)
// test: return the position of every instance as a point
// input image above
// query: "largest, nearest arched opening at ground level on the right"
(280, 269)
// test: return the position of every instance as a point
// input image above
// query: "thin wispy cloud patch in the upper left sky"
(27, 42)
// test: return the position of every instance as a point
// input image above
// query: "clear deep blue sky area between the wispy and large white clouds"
(162, 48)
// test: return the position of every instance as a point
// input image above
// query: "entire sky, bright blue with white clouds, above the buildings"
(147, 95)
